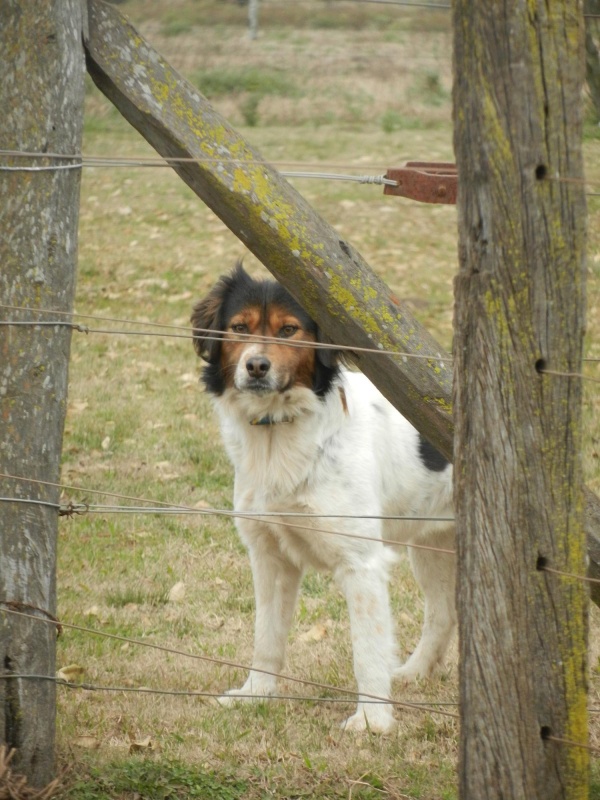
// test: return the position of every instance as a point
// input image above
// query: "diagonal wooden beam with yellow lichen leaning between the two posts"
(326, 274)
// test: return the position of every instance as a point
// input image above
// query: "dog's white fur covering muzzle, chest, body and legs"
(349, 452)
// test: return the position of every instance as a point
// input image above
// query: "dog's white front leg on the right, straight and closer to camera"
(373, 645)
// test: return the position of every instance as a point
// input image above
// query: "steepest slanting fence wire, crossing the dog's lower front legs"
(222, 662)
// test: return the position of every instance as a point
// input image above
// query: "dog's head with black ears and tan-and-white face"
(227, 325)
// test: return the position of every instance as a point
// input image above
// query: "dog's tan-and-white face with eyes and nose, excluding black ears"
(268, 366)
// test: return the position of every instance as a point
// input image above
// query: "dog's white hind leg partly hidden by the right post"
(436, 575)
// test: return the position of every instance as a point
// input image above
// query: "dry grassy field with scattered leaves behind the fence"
(328, 86)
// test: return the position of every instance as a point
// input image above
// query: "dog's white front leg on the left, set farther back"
(276, 585)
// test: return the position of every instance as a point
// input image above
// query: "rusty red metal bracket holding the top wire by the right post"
(427, 181)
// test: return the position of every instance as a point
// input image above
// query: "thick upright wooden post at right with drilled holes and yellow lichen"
(520, 311)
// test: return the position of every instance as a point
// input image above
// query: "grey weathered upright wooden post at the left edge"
(42, 91)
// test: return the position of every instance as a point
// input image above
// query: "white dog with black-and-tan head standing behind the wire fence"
(308, 436)
